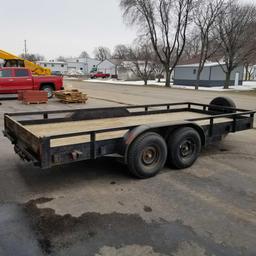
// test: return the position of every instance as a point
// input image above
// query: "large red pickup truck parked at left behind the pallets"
(14, 79)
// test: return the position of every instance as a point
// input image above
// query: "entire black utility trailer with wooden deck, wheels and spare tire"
(145, 137)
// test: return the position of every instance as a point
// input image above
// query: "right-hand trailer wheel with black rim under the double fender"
(184, 147)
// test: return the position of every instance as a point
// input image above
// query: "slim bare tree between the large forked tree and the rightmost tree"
(205, 15)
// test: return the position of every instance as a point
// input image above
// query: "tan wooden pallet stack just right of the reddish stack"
(71, 96)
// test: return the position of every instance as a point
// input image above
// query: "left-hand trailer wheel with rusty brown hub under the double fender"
(147, 155)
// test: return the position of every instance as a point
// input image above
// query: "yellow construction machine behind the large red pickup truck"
(11, 60)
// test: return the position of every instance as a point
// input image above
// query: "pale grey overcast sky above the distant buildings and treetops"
(63, 27)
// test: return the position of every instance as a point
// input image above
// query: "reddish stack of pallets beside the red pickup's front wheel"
(33, 97)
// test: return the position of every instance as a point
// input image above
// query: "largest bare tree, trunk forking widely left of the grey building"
(165, 22)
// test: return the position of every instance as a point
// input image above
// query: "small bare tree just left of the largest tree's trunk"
(140, 61)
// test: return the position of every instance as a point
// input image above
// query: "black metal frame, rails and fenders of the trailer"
(39, 150)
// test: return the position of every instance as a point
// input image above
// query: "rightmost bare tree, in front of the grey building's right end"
(236, 35)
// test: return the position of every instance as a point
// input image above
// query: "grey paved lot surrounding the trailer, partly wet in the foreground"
(96, 208)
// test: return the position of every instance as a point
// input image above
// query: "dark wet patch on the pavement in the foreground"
(87, 234)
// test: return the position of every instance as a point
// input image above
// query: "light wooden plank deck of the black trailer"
(51, 129)
